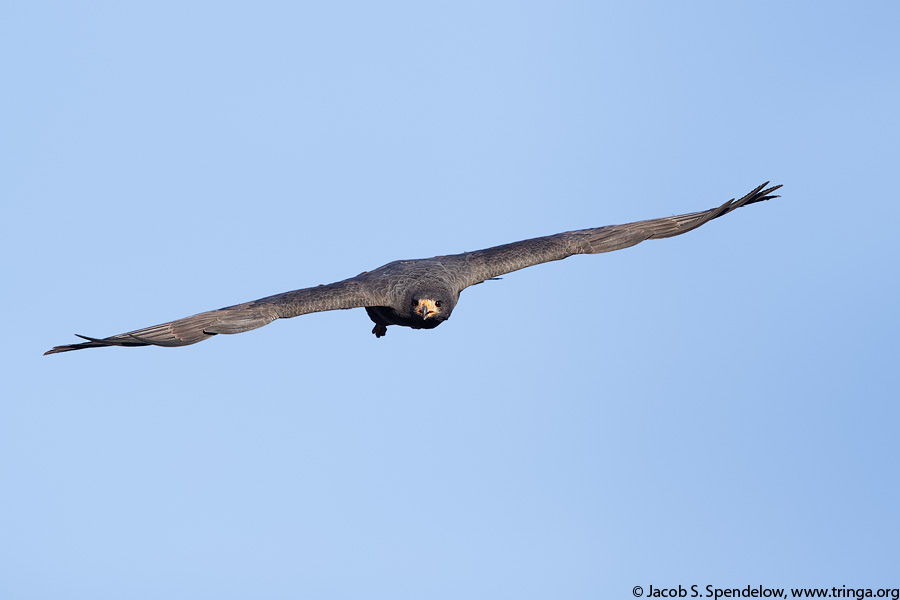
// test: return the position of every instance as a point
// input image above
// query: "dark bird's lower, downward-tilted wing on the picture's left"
(350, 293)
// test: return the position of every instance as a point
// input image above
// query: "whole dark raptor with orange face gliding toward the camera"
(414, 293)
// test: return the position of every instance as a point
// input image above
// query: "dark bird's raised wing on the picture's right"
(491, 262)
